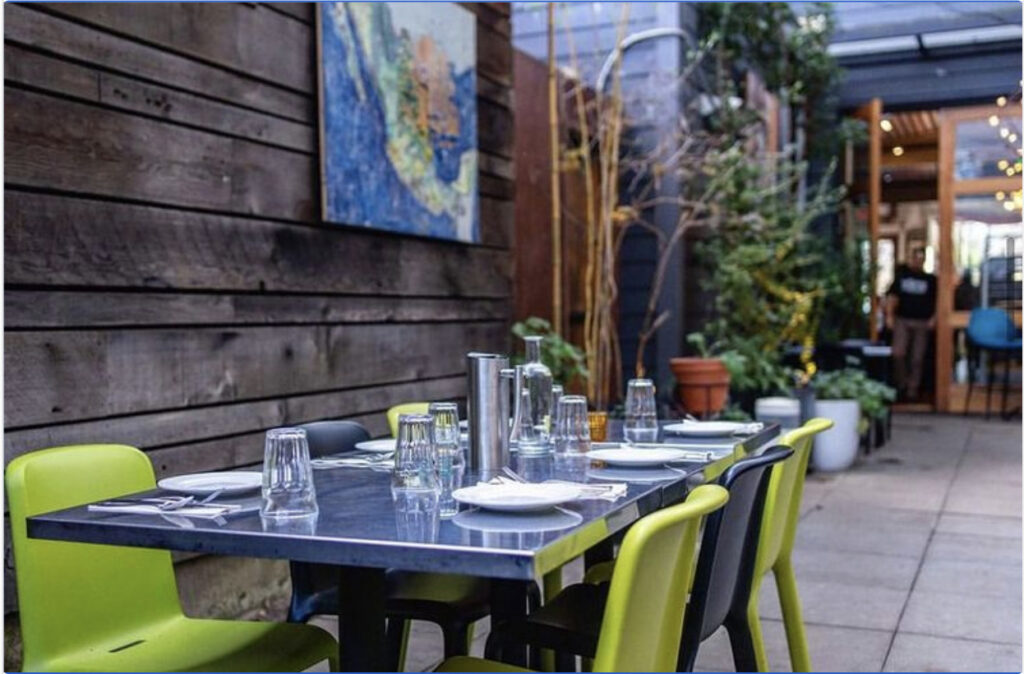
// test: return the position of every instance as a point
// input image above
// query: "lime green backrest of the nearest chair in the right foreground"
(645, 614)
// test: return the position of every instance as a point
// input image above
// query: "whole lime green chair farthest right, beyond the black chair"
(779, 533)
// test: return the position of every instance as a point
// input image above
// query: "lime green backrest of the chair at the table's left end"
(73, 596)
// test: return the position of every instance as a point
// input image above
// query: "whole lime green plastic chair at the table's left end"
(109, 609)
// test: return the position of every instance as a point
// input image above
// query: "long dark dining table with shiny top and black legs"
(363, 532)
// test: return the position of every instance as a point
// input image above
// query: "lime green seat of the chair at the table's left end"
(185, 645)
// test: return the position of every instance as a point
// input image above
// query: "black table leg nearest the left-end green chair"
(362, 598)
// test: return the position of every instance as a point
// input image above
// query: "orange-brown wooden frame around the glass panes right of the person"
(950, 189)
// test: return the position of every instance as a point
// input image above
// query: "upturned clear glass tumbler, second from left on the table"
(415, 487)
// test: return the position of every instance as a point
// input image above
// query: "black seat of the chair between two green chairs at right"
(571, 623)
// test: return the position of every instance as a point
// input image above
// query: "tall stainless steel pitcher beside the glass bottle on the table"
(489, 411)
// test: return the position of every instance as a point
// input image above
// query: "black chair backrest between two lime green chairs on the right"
(730, 545)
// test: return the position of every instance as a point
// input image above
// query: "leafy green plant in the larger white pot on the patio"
(851, 400)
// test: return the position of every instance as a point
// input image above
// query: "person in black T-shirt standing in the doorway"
(911, 315)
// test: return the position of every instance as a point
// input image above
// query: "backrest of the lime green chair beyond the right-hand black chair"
(786, 489)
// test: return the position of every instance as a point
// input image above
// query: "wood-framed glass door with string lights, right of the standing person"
(980, 246)
